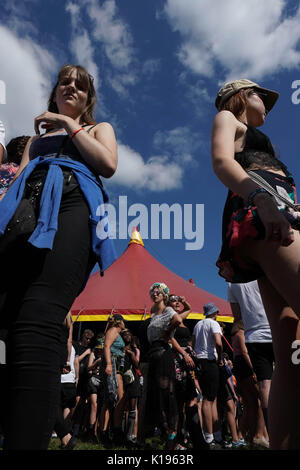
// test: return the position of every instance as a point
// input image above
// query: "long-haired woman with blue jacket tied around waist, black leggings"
(58, 179)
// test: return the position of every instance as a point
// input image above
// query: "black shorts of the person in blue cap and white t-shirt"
(209, 379)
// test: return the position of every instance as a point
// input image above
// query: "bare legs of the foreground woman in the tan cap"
(280, 291)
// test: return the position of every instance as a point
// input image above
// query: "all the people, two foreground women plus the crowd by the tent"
(185, 386)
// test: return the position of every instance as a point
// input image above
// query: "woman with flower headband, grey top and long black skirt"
(161, 408)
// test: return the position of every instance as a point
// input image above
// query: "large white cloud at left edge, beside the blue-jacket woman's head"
(27, 70)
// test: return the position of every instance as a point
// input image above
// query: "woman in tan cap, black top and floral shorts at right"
(261, 237)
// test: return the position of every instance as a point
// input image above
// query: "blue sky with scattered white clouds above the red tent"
(158, 65)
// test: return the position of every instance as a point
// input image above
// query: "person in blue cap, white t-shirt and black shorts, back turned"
(207, 344)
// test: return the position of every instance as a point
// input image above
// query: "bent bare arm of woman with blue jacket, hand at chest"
(98, 148)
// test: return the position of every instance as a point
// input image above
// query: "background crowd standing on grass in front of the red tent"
(118, 389)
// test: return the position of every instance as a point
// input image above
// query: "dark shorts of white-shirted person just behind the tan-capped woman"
(262, 358)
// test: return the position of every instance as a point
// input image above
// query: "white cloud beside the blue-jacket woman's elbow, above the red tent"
(159, 173)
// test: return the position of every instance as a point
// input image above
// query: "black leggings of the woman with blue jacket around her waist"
(40, 287)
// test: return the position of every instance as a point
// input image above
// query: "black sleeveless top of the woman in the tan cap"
(258, 150)
